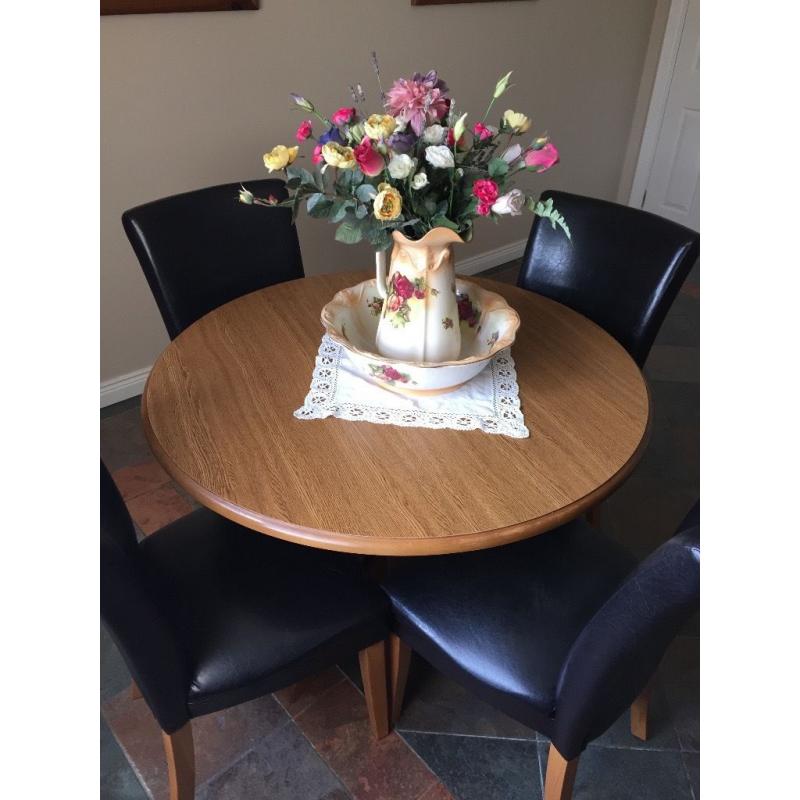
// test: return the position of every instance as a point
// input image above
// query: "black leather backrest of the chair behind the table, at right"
(622, 268)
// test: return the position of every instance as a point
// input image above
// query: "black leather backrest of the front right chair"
(620, 648)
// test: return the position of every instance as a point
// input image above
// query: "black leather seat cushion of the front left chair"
(253, 613)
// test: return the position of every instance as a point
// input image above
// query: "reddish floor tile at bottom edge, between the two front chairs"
(336, 724)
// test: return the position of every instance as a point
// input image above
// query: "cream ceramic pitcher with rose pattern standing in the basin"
(419, 320)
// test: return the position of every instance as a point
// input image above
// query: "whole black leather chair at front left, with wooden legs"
(208, 615)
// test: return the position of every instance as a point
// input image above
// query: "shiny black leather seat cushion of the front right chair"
(501, 621)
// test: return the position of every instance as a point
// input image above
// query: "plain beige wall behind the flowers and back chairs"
(189, 100)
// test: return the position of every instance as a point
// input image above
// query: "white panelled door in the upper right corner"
(673, 185)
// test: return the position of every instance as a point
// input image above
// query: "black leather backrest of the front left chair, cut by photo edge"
(129, 608)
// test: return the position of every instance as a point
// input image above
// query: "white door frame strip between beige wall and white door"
(665, 72)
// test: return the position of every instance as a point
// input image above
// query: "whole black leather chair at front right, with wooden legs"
(562, 632)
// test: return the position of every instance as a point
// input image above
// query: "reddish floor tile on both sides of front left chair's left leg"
(219, 739)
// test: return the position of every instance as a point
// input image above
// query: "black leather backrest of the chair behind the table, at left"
(204, 248)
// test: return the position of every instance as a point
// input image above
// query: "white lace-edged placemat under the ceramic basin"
(489, 402)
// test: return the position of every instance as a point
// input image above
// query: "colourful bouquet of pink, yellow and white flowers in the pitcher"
(412, 167)
